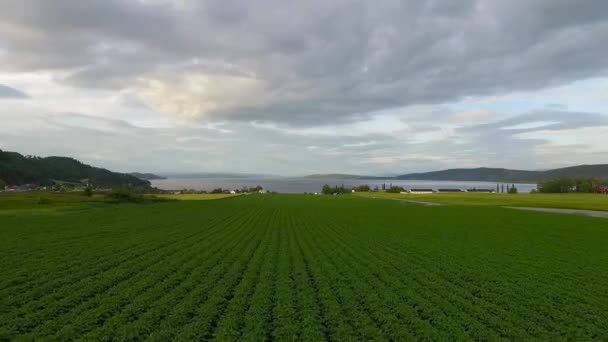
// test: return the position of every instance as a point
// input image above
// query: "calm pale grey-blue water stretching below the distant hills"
(301, 185)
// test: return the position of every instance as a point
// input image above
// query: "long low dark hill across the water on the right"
(599, 171)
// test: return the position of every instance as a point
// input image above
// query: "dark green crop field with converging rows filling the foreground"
(298, 267)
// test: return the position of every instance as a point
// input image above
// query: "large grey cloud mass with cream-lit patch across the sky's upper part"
(305, 63)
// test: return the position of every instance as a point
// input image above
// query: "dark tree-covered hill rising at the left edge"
(16, 169)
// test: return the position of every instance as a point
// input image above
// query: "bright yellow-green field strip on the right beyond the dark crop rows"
(570, 201)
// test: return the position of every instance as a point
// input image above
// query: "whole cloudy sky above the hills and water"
(292, 88)
